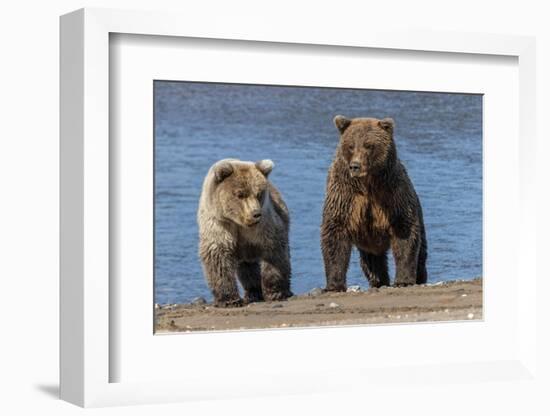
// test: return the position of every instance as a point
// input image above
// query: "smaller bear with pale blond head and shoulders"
(243, 232)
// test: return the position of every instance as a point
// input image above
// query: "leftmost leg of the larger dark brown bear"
(336, 248)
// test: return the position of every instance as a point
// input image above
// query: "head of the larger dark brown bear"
(366, 144)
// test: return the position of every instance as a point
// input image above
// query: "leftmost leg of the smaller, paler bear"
(220, 268)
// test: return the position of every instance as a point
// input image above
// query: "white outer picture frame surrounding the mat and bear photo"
(86, 305)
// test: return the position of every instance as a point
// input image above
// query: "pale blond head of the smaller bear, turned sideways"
(240, 190)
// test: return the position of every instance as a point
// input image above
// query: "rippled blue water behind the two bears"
(438, 136)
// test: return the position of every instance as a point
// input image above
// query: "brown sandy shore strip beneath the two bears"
(448, 301)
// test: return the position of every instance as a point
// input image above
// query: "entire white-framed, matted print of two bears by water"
(308, 203)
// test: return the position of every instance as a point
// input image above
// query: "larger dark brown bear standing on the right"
(370, 203)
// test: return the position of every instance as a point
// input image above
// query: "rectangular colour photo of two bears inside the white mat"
(289, 206)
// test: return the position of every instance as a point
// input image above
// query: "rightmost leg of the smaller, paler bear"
(275, 273)
